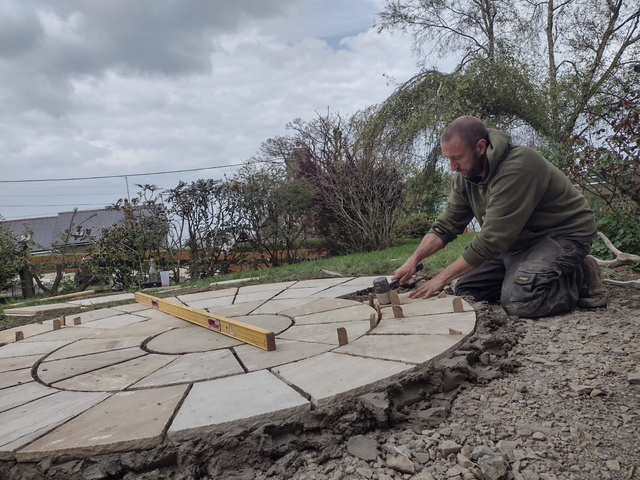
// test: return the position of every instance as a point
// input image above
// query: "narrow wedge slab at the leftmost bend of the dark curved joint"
(53, 371)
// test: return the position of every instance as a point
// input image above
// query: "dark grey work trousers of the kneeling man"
(543, 280)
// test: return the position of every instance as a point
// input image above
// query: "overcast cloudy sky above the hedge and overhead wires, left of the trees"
(121, 87)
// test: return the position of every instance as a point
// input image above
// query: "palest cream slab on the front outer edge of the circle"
(241, 401)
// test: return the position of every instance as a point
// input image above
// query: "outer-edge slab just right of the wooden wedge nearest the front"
(416, 349)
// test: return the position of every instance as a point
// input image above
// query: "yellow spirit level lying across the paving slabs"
(253, 335)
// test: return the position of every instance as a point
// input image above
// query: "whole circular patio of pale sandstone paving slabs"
(129, 376)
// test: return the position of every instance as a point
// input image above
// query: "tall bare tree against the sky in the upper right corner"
(577, 51)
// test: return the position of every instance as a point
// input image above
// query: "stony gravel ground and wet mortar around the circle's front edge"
(549, 399)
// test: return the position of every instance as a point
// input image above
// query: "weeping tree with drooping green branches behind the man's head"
(407, 126)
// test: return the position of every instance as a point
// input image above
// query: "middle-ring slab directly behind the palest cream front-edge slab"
(193, 367)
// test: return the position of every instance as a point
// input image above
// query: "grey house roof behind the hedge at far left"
(47, 231)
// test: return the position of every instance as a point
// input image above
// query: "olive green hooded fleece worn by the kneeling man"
(522, 199)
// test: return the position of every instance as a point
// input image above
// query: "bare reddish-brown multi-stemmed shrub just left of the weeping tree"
(358, 189)
